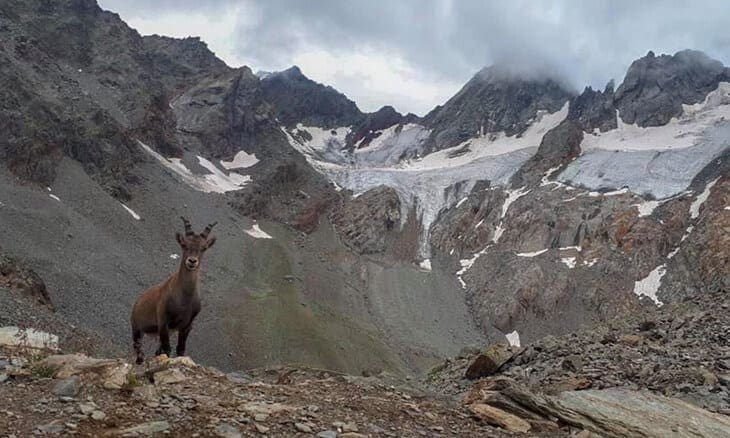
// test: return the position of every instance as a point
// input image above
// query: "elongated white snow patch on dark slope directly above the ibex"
(214, 182)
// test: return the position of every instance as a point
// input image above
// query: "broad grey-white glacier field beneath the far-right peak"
(659, 160)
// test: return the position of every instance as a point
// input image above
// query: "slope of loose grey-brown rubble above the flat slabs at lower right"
(639, 352)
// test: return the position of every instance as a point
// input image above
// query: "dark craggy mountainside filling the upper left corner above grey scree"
(76, 81)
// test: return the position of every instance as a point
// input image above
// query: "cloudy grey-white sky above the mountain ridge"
(415, 54)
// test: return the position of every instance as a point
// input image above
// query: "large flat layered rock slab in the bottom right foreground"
(612, 413)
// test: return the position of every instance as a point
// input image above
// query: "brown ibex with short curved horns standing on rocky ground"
(174, 304)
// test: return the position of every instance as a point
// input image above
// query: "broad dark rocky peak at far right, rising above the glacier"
(656, 87)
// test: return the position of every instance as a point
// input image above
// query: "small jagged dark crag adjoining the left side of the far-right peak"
(594, 109)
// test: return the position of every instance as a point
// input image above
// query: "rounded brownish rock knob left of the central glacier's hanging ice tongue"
(366, 222)
